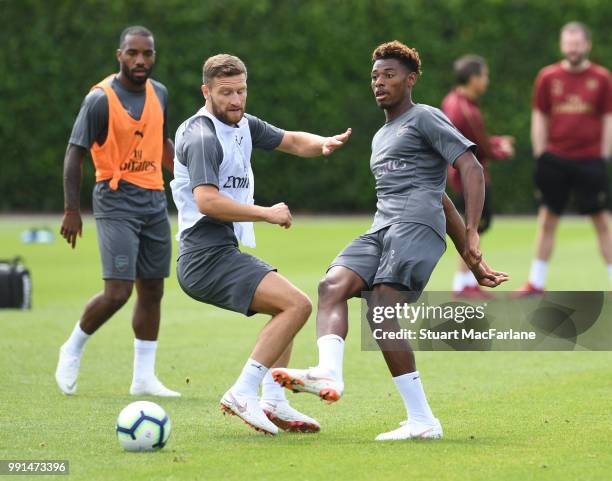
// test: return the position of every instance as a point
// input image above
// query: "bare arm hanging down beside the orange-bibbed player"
(72, 225)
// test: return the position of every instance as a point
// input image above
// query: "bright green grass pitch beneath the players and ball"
(506, 415)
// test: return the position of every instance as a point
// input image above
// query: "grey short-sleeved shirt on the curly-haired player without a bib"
(410, 155)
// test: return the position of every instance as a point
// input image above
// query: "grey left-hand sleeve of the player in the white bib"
(202, 154)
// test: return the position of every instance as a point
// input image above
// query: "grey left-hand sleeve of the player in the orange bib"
(91, 124)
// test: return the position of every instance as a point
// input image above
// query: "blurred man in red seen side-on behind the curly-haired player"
(461, 107)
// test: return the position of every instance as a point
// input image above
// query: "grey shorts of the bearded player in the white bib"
(222, 276)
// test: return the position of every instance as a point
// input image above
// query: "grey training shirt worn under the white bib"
(200, 151)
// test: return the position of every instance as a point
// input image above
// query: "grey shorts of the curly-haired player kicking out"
(404, 253)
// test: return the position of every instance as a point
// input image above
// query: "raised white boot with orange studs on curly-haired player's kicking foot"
(312, 380)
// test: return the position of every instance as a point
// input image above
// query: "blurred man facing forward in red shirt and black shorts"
(571, 135)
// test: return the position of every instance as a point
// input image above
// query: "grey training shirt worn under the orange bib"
(91, 126)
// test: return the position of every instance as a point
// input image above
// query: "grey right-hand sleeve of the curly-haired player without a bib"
(442, 135)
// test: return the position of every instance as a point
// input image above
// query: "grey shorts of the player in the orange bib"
(135, 247)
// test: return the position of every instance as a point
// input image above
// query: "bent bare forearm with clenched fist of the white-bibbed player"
(212, 203)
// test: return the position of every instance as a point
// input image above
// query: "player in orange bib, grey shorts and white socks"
(122, 122)
